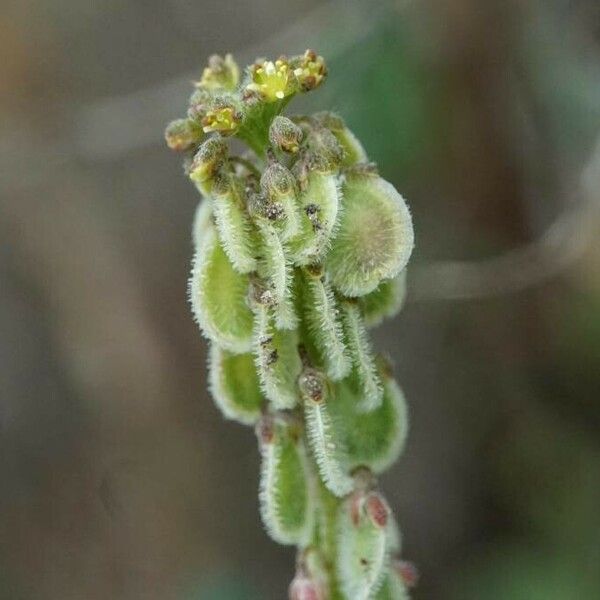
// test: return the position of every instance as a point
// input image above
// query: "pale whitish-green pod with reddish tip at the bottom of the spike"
(362, 552)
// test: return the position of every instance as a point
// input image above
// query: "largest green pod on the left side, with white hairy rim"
(218, 297)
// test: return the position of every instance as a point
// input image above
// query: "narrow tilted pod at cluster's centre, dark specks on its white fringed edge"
(276, 357)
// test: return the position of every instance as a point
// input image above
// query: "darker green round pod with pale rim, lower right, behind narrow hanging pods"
(374, 439)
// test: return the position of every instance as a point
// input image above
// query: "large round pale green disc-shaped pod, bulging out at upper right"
(375, 237)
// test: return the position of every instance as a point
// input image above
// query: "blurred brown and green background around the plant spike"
(118, 477)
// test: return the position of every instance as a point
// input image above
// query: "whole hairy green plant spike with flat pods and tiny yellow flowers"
(300, 247)
